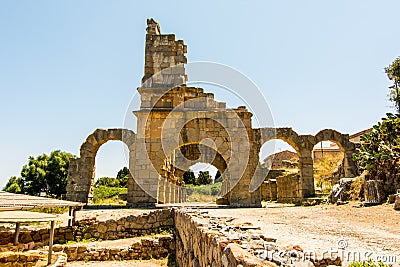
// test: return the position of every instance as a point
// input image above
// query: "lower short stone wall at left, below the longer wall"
(156, 247)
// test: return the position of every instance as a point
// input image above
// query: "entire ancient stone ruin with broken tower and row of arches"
(179, 125)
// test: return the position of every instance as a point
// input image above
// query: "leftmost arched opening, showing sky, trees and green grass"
(110, 185)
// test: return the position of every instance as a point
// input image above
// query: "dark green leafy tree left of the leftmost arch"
(45, 173)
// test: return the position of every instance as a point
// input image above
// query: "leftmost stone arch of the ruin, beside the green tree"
(81, 170)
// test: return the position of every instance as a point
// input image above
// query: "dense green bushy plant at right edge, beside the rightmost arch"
(379, 153)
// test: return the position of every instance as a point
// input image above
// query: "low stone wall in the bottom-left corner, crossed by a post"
(31, 258)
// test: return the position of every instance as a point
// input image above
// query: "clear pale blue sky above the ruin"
(68, 67)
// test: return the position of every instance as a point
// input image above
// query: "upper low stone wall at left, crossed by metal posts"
(130, 226)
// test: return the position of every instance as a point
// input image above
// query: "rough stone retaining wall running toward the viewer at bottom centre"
(200, 243)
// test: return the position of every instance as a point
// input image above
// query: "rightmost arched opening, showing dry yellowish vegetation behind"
(328, 165)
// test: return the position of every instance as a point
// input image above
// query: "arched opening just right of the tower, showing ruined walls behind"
(279, 163)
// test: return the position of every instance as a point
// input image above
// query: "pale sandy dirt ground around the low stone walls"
(352, 231)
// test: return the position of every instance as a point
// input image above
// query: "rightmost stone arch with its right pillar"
(345, 145)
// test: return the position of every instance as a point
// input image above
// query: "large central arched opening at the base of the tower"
(188, 175)
